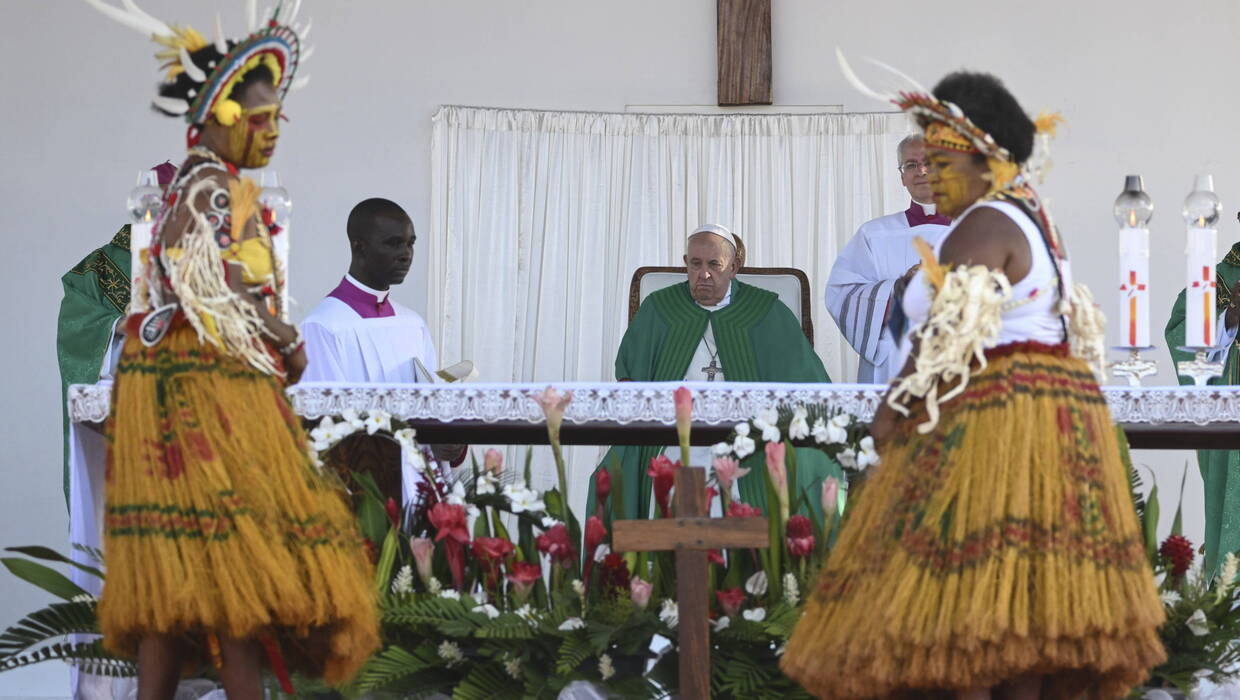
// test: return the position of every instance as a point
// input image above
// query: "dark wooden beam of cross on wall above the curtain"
(745, 53)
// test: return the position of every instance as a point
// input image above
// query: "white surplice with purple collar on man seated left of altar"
(358, 335)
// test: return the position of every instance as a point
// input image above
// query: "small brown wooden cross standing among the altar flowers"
(691, 535)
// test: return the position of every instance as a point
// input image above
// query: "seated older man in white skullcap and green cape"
(714, 328)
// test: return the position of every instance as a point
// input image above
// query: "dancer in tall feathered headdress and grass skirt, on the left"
(224, 542)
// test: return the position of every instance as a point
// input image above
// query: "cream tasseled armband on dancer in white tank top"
(965, 317)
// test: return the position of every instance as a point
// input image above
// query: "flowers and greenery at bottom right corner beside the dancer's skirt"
(1202, 634)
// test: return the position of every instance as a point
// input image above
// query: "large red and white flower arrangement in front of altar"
(490, 589)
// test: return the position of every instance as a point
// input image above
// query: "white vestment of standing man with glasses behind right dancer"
(860, 289)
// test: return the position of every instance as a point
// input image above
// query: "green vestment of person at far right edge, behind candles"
(1221, 469)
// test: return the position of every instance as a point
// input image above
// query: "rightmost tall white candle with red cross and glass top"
(1202, 211)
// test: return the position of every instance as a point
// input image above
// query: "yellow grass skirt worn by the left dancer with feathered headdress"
(218, 522)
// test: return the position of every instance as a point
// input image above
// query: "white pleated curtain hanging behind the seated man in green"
(540, 219)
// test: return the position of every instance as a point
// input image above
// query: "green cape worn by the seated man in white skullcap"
(758, 340)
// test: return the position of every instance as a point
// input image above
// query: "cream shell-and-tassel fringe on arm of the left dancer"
(216, 313)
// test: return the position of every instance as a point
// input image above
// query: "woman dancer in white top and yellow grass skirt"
(996, 551)
